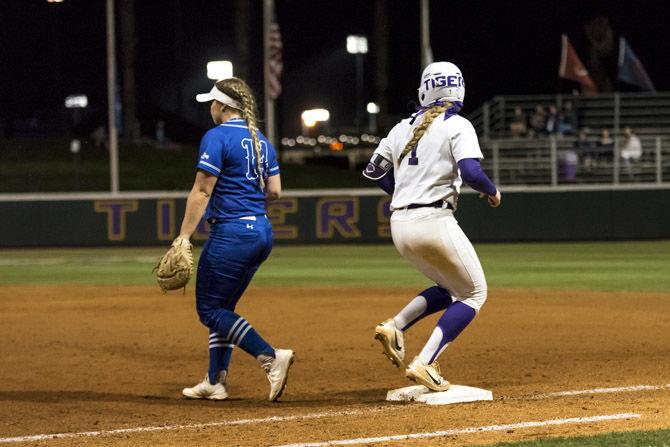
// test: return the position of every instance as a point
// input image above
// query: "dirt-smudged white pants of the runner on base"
(432, 240)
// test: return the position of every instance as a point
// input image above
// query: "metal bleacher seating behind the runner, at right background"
(545, 160)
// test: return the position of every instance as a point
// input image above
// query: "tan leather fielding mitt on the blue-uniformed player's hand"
(175, 267)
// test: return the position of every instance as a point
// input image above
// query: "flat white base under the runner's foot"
(456, 394)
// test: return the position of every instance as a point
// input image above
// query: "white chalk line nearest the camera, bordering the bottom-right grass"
(460, 431)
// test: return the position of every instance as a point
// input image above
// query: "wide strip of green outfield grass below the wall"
(633, 266)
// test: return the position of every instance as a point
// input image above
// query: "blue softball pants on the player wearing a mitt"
(229, 260)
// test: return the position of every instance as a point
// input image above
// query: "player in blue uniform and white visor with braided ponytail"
(236, 173)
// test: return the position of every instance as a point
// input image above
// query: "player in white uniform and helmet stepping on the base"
(422, 163)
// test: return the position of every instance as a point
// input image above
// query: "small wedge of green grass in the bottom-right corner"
(657, 438)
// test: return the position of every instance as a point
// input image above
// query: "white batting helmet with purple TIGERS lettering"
(441, 81)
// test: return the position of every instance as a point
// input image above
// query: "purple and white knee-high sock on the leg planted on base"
(449, 326)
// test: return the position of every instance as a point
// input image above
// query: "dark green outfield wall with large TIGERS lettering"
(337, 216)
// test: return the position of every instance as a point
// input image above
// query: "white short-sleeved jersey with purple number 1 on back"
(430, 172)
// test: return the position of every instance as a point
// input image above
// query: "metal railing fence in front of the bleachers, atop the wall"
(556, 161)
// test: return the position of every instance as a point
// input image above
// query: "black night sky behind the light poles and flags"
(503, 47)
